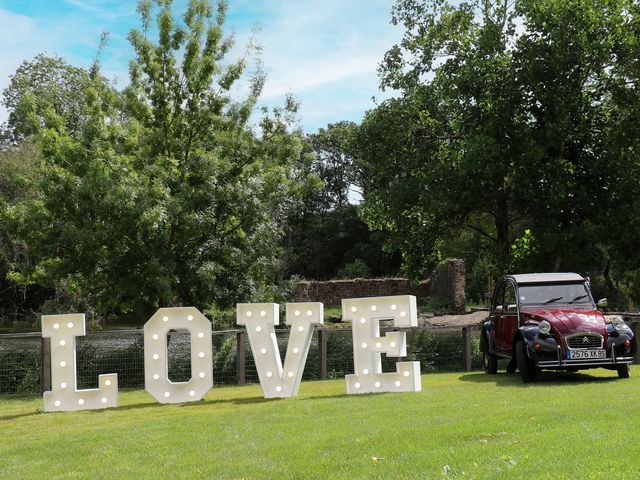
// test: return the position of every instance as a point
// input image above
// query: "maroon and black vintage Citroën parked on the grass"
(550, 321)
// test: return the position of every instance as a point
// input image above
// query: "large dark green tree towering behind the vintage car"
(503, 125)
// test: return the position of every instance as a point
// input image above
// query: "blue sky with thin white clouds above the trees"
(325, 52)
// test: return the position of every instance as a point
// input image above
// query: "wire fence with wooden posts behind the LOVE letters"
(22, 356)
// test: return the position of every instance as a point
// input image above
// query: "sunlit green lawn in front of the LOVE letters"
(464, 425)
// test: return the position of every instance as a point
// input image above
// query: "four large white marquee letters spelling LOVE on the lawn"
(276, 379)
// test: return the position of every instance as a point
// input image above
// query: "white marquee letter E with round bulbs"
(365, 315)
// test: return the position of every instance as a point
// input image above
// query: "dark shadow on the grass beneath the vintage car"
(544, 378)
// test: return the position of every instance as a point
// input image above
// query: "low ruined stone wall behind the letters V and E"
(445, 284)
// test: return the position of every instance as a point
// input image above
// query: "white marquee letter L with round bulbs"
(63, 397)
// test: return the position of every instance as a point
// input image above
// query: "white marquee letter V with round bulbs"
(260, 318)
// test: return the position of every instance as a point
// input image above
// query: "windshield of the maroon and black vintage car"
(555, 294)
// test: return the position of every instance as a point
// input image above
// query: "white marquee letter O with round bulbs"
(156, 376)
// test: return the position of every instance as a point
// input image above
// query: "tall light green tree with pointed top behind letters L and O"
(166, 196)
